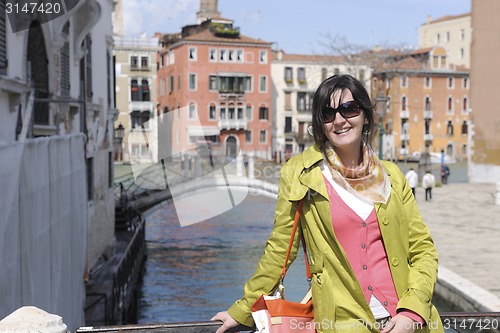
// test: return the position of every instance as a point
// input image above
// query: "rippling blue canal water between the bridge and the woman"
(195, 271)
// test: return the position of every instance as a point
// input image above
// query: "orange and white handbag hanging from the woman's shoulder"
(274, 314)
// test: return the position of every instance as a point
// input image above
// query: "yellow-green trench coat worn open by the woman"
(339, 303)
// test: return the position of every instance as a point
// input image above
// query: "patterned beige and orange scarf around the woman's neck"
(368, 181)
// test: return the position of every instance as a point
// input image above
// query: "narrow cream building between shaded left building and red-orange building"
(135, 63)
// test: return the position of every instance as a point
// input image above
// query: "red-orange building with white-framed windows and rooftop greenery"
(217, 83)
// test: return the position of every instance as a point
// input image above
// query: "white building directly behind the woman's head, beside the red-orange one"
(295, 78)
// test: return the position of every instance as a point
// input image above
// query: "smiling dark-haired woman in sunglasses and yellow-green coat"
(373, 261)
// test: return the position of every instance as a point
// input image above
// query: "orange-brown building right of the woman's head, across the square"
(427, 104)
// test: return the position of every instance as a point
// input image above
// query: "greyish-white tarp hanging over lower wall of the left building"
(43, 219)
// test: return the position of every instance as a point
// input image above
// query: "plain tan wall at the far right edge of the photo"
(484, 165)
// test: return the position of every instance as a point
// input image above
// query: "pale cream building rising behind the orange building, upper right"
(453, 33)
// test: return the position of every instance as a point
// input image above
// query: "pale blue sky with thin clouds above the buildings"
(300, 26)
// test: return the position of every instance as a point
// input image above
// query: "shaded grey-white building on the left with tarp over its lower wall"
(56, 156)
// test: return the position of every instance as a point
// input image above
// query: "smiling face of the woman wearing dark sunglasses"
(344, 133)
